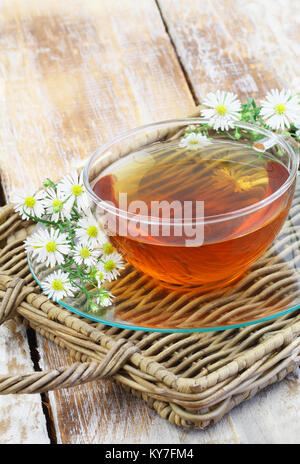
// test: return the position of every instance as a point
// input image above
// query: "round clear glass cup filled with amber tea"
(190, 206)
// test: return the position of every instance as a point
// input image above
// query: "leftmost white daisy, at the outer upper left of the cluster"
(30, 203)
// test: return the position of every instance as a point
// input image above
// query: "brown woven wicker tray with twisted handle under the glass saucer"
(190, 380)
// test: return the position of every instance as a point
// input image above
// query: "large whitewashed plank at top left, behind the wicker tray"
(74, 74)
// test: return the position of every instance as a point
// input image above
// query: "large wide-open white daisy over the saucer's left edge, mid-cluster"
(49, 246)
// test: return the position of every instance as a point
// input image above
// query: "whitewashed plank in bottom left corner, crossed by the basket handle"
(22, 420)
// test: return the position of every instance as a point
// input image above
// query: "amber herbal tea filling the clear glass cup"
(226, 177)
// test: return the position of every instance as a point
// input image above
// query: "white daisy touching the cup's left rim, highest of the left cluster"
(71, 187)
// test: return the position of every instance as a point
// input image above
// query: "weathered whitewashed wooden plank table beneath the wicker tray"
(73, 74)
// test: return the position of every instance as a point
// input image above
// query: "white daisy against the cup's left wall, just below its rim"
(89, 232)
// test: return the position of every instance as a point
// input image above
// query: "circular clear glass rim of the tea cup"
(106, 206)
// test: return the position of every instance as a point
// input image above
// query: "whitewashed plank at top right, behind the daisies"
(243, 46)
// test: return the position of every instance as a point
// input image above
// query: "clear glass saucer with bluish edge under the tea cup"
(271, 288)
